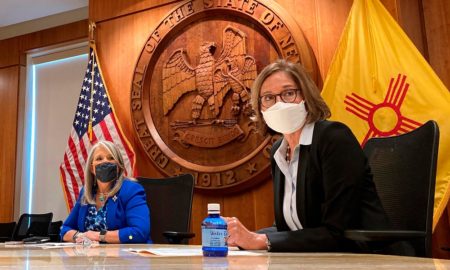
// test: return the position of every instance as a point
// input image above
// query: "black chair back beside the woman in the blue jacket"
(170, 203)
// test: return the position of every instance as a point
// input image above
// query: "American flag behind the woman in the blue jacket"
(94, 120)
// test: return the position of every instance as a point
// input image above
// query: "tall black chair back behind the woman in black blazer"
(404, 169)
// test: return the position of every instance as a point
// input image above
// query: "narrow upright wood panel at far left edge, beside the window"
(9, 92)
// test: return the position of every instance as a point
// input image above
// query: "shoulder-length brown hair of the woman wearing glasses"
(314, 103)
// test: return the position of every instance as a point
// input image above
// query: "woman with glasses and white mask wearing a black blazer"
(322, 181)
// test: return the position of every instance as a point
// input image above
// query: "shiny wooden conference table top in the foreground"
(112, 256)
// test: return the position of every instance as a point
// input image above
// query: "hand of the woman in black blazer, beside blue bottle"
(239, 236)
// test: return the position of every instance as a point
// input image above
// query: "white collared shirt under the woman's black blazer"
(290, 174)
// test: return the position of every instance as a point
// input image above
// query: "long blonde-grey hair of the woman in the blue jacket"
(90, 182)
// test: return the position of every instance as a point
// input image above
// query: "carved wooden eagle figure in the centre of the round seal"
(212, 79)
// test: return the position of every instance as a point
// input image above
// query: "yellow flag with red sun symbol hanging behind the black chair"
(380, 85)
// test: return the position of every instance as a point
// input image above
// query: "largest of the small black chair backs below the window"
(32, 225)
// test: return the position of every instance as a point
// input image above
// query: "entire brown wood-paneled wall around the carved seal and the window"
(123, 26)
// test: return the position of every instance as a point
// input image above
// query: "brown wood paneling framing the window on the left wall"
(12, 58)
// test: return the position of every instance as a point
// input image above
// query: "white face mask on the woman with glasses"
(286, 118)
